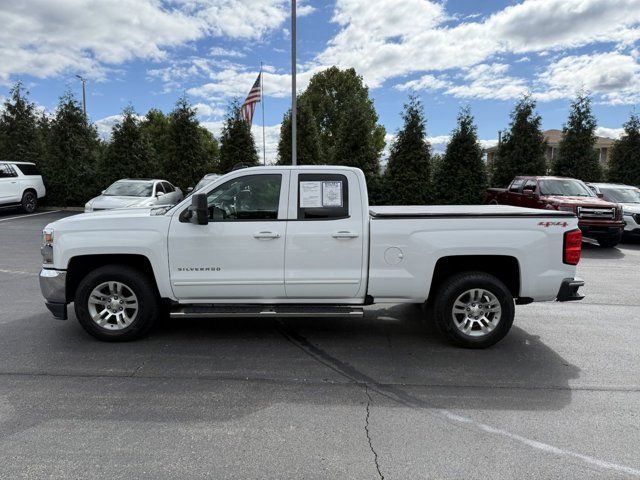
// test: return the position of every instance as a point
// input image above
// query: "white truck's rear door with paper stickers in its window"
(325, 236)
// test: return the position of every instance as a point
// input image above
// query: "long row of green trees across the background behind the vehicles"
(336, 124)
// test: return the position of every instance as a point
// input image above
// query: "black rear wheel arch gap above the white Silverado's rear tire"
(504, 267)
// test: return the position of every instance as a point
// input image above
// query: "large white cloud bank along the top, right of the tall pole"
(413, 36)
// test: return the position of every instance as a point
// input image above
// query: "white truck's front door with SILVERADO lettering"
(240, 253)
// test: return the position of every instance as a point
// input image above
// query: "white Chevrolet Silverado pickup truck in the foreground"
(303, 241)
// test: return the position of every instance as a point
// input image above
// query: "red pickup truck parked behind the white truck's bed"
(597, 218)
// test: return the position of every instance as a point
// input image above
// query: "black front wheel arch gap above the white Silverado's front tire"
(79, 266)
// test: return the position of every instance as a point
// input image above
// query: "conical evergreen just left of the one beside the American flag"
(188, 156)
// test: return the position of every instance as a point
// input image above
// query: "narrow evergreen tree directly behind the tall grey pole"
(308, 139)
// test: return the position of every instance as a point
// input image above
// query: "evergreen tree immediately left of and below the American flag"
(237, 145)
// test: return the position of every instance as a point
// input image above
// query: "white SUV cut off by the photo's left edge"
(21, 186)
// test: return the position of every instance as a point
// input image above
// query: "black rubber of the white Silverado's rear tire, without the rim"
(457, 285)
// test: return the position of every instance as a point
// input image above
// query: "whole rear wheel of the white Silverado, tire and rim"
(474, 309)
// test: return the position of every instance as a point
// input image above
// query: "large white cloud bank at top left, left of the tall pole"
(44, 38)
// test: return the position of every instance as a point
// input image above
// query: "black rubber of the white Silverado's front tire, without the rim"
(138, 283)
